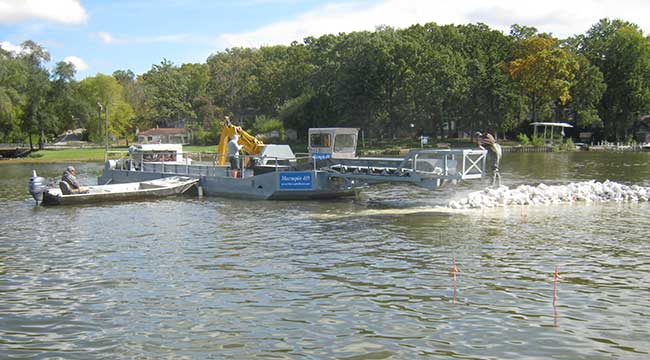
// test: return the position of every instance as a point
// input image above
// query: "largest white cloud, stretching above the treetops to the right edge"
(560, 17)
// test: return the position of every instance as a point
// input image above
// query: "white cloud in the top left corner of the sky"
(59, 11)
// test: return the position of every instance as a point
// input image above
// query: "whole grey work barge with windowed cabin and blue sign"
(329, 170)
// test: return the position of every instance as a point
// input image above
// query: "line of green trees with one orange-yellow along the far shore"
(388, 82)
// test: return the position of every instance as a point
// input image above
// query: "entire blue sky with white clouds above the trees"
(104, 36)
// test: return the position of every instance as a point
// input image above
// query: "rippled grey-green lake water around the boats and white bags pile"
(349, 279)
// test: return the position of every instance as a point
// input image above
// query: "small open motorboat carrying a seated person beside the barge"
(118, 192)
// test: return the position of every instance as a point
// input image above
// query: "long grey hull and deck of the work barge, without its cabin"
(310, 177)
